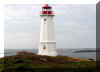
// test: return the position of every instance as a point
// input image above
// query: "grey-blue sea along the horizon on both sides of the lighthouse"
(60, 51)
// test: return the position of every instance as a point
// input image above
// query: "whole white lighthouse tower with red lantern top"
(47, 37)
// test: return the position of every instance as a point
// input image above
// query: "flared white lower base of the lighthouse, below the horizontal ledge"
(47, 48)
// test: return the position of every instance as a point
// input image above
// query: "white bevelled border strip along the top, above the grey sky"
(51, 1)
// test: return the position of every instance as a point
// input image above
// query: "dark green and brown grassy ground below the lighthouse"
(29, 62)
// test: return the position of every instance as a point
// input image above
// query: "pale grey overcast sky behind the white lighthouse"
(75, 25)
